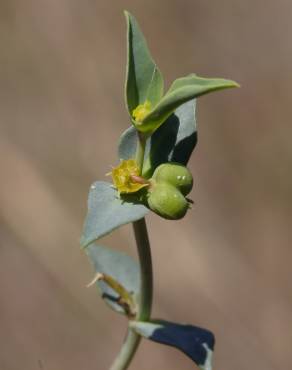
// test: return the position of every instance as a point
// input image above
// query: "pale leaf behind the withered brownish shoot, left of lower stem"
(118, 265)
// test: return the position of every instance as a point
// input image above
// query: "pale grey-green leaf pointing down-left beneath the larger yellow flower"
(107, 212)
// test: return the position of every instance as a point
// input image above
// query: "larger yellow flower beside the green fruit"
(126, 177)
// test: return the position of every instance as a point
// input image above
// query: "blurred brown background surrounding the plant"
(227, 265)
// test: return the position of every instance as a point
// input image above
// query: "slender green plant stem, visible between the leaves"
(132, 339)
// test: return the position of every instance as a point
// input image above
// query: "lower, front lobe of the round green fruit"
(167, 201)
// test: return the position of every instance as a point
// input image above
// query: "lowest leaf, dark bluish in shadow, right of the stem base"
(195, 342)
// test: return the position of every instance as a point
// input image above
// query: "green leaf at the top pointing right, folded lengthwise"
(181, 91)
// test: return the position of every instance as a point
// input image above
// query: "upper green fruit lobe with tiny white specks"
(175, 174)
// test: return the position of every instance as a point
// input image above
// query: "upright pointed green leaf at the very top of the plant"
(143, 79)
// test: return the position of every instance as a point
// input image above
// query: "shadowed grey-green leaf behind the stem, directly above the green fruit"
(174, 141)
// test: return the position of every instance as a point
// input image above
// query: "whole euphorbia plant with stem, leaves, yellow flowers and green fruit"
(151, 176)
